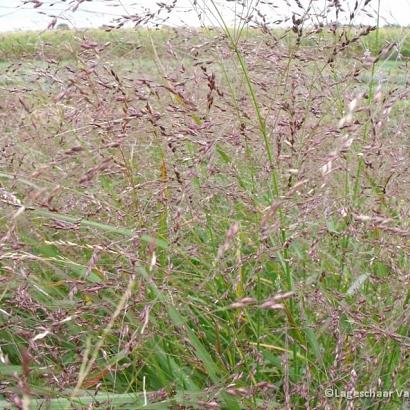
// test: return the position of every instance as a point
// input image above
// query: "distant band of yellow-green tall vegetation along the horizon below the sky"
(66, 44)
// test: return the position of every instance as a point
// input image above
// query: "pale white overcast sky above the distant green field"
(21, 15)
